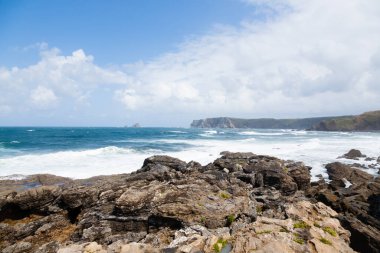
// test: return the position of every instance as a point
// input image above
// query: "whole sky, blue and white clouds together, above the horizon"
(165, 63)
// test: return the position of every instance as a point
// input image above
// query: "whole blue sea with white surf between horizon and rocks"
(83, 152)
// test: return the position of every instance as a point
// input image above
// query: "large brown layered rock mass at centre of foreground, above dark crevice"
(176, 204)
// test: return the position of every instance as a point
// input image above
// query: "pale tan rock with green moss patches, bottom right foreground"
(301, 232)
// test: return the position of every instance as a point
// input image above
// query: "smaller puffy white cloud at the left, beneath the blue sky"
(53, 77)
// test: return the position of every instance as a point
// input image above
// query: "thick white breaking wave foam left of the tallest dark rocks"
(76, 164)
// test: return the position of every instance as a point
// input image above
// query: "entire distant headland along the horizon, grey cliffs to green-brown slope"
(369, 121)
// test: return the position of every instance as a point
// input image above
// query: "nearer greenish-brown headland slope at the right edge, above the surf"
(368, 121)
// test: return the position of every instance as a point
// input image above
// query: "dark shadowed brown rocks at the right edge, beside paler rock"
(355, 195)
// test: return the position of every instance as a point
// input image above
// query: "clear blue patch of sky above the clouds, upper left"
(115, 31)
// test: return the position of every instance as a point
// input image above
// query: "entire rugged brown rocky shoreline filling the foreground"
(241, 202)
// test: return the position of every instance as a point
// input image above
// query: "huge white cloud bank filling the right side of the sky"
(315, 57)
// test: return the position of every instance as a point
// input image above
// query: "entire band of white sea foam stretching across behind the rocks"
(314, 150)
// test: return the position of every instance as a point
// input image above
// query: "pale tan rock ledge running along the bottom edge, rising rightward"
(304, 231)
